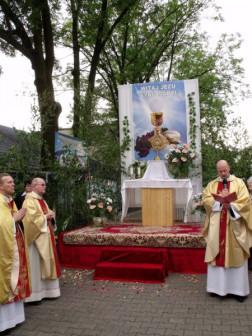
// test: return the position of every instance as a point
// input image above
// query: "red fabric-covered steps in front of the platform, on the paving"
(130, 264)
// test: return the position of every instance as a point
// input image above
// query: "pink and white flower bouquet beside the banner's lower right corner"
(180, 159)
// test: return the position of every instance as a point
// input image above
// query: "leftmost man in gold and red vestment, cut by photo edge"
(14, 275)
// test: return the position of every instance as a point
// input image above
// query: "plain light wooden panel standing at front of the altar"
(157, 206)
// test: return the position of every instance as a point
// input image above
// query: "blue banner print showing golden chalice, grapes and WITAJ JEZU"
(159, 115)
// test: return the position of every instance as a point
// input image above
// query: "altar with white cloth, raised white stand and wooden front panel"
(168, 195)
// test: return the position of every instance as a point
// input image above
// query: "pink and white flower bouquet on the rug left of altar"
(101, 208)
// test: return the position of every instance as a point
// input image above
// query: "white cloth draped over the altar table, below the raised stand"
(184, 185)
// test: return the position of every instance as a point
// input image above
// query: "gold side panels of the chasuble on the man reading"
(238, 231)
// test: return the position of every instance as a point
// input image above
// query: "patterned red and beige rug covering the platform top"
(179, 235)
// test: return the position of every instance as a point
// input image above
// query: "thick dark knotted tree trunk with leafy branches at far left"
(27, 26)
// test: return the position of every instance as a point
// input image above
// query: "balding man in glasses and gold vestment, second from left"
(38, 228)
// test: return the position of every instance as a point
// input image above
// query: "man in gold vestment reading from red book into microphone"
(228, 233)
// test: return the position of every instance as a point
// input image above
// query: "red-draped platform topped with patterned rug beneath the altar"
(183, 246)
